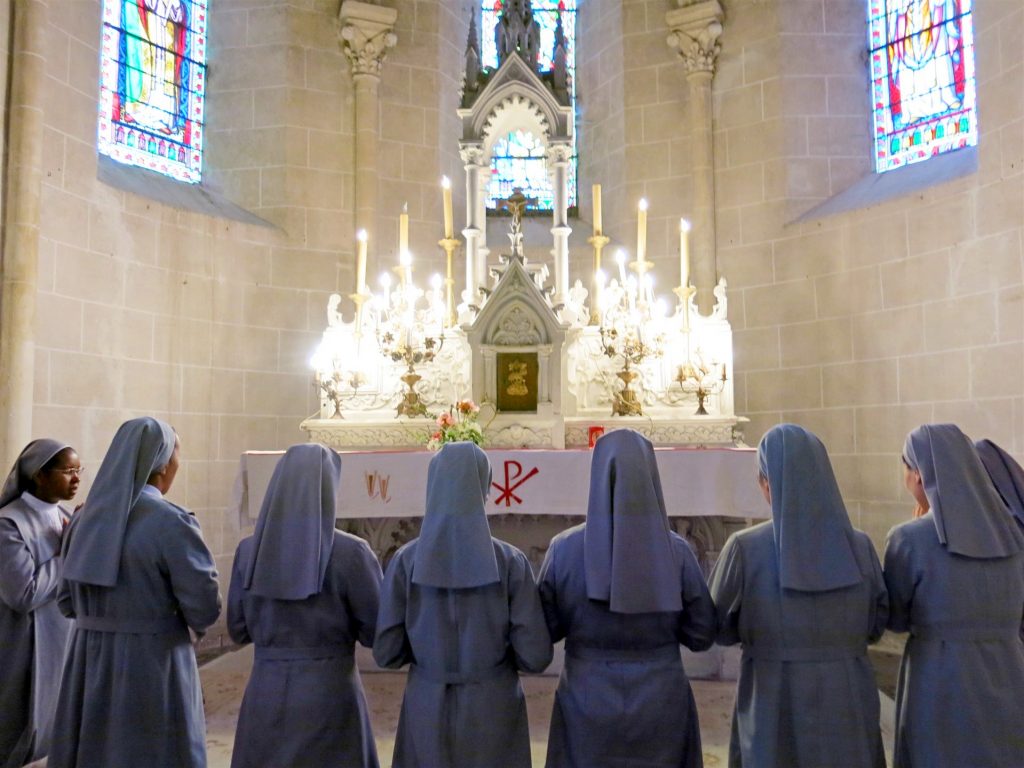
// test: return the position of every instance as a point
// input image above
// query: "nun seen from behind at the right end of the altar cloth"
(804, 594)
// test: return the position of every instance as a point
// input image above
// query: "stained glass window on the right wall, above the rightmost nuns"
(923, 84)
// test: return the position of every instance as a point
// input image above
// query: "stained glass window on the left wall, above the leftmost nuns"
(153, 82)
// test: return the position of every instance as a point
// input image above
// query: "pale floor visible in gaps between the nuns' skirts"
(225, 680)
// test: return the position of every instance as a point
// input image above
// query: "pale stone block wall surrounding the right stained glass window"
(864, 325)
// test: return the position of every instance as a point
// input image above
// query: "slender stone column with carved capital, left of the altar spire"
(367, 33)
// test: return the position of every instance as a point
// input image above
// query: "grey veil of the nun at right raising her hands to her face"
(970, 517)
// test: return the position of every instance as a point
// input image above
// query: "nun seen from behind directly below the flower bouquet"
(462, 608)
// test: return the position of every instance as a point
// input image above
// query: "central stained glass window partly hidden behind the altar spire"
(518, 160)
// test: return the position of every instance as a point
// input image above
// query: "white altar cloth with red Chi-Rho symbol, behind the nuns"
(696, 482)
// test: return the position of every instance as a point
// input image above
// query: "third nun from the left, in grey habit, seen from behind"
(304, 593)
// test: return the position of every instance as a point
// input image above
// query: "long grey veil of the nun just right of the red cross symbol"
(628, 558)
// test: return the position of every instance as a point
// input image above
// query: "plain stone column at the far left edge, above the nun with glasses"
(21, 242)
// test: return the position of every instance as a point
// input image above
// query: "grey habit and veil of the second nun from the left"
(138, 576)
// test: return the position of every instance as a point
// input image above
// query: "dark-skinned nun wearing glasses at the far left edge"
(33, 632)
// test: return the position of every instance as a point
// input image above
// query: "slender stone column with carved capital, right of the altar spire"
(695, 31)
